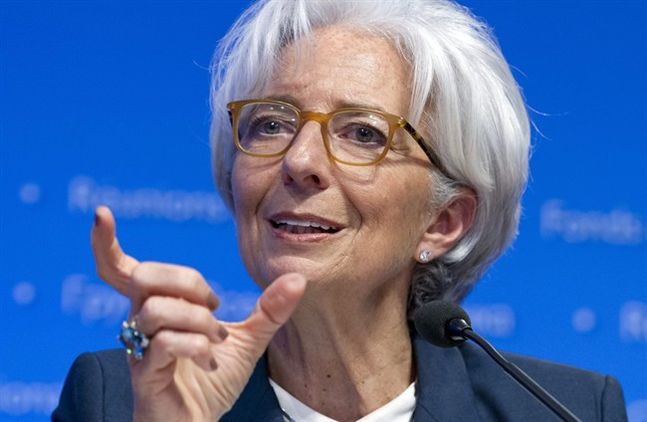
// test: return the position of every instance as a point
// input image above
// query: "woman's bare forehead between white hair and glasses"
(337, 67)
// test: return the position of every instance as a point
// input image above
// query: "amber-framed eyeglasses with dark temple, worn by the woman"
(353, 136)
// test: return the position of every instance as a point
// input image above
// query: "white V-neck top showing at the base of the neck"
(400, 409)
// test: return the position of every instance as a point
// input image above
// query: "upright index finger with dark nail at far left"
(113, 265)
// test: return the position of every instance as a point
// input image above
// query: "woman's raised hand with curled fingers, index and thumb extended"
(195, 366)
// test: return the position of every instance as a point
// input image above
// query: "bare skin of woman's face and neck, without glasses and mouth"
(358, 278)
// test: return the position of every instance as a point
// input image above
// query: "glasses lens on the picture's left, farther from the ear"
(266, 128)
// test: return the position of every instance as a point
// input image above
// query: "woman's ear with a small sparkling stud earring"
(450, 223)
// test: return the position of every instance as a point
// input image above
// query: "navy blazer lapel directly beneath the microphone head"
(443, 388)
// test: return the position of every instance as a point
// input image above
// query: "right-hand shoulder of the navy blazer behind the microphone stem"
(589, 395)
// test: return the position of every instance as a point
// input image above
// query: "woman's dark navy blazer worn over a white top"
(459, 384)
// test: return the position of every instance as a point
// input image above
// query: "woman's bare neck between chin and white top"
(344, 364)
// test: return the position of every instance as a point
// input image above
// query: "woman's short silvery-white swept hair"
(463, 96)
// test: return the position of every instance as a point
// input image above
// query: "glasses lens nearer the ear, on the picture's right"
(358, 137)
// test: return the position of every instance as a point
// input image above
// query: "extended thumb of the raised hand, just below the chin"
(274, 308)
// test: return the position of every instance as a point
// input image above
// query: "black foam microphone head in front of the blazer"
(431, 321)
